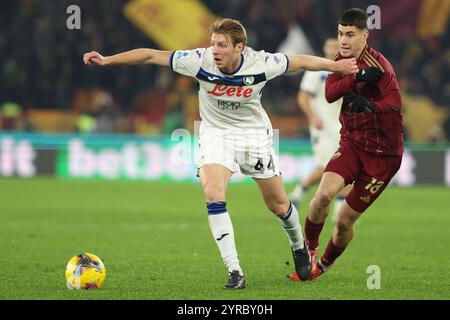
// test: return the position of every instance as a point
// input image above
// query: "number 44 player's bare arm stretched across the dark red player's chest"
(313, 63)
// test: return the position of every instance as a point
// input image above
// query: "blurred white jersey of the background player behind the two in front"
(313, 82)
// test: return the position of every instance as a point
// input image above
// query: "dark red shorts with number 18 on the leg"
(369, 173)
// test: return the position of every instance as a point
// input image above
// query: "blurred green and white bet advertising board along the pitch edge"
(174, 158)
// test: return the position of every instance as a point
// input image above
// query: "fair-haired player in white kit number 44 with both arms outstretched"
(235, 128)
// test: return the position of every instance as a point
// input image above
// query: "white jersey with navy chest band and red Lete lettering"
(231, 101)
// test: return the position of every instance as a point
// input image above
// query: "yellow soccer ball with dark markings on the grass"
(85, 271)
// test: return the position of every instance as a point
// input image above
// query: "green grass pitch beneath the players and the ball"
(156, 244)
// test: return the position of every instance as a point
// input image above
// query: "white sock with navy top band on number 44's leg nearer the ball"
(223, 233)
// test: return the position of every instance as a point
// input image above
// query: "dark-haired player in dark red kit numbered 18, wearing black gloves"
(371, 146)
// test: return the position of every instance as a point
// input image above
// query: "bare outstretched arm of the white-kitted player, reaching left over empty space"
(132, 57)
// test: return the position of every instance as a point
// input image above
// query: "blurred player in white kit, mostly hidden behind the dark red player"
(324, 126)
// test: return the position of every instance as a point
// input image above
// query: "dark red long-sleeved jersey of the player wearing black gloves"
(380, 132)
